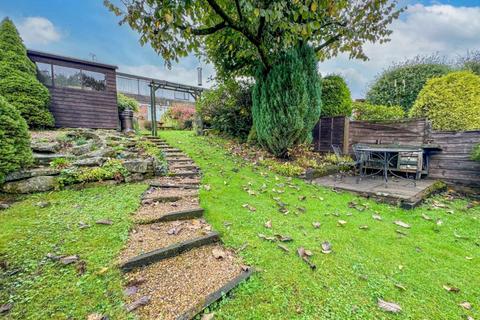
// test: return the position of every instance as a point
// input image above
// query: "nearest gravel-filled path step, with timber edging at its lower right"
(182, 286)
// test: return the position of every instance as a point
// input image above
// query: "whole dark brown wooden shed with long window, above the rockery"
(83, 93)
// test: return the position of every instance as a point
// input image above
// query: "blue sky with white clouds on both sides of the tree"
(85, 28)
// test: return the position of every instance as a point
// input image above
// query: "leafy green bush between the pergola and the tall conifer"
(227, 108)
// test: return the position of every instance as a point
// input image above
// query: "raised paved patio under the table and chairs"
(397, 191)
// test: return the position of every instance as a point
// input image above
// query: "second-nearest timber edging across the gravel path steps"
(168, 252)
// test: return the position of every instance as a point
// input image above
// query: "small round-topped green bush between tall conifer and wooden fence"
(336, 98)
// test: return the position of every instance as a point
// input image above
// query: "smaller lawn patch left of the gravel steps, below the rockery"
(41, 288)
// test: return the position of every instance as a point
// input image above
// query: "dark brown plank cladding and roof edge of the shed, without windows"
(76, 107)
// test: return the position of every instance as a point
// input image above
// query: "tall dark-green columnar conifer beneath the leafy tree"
(287, 101)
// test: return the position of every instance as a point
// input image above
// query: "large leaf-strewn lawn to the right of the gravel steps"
(365, 265)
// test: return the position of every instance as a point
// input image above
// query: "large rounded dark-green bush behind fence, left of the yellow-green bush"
(401, 83)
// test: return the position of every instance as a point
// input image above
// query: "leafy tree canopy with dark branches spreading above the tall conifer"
(239, 34)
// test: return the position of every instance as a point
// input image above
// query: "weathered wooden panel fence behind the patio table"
(452, 164)
